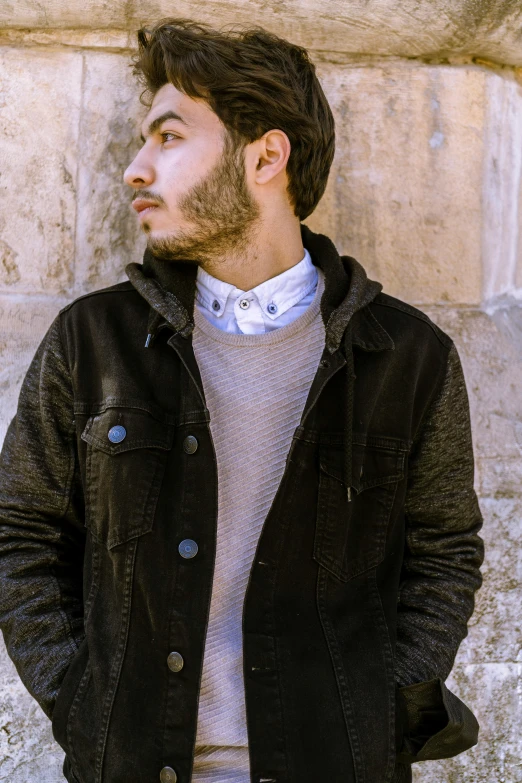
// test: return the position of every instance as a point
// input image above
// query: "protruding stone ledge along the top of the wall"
(411, 29)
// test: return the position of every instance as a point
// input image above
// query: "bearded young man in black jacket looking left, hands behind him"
(238, 532)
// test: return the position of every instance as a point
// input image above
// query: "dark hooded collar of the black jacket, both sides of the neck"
(170, 288)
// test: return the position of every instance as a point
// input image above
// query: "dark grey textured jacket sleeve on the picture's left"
(42, 535)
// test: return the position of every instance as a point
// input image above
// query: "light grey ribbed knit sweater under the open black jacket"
(256, 387)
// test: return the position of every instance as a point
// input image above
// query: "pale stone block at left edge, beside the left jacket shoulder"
(23, 323)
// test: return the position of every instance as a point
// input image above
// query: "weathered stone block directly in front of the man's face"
(108, 235)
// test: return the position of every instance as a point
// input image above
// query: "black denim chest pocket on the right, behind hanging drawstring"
(350, 537)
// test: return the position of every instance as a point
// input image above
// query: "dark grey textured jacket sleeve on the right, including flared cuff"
(441, 568)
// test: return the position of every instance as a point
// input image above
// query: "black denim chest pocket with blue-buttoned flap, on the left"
(126, 457)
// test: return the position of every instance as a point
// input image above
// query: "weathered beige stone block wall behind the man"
(425, 191)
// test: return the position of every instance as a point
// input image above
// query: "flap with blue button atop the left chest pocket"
(141, 431)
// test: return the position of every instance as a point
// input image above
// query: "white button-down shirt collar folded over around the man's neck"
(284, 290)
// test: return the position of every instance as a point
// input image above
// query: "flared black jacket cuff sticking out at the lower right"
(436, 723)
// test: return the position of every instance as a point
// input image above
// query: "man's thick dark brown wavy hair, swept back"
(254, 81)
